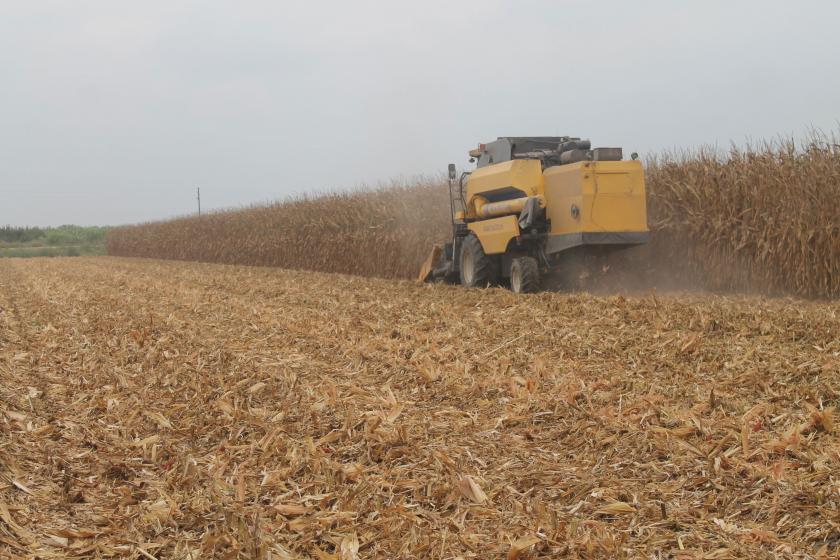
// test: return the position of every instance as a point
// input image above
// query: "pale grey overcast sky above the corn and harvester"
(115, 111)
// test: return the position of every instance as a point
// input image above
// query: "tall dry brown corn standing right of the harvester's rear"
(757, 219)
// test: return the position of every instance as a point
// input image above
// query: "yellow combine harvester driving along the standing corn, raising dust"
(532, 200)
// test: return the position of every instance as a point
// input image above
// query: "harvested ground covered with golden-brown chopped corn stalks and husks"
(157, 409)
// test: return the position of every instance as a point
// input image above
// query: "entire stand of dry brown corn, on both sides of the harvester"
(762, 220)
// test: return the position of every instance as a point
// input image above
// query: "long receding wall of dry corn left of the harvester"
(375, 232)
